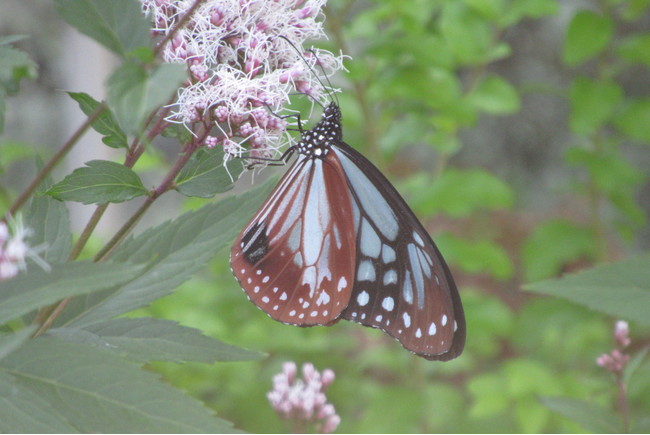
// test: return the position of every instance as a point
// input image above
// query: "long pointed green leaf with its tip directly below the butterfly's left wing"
(145, 340)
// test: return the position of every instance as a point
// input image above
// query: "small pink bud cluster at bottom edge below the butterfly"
(303, 400)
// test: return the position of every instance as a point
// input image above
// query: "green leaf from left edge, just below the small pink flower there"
(37, 288)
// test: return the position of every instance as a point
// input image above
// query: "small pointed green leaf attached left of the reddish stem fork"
(99, 182)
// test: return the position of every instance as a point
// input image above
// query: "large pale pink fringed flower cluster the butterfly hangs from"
(244, 58)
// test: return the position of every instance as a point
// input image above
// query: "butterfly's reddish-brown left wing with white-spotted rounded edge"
(295, 258)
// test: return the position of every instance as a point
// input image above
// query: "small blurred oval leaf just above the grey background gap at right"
(495, 95)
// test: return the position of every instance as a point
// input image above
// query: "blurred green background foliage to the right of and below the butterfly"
(422, 73)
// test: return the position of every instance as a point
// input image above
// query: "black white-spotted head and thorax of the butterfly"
(317, 141)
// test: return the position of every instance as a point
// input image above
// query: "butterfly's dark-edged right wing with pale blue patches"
(402, 284)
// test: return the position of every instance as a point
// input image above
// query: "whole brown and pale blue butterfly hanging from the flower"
(335, 240)
